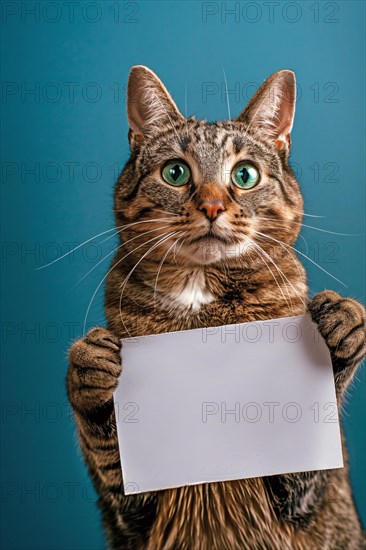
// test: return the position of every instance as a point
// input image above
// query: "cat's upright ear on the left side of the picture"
(149, 105)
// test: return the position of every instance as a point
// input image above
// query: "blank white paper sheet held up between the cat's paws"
(224, 403)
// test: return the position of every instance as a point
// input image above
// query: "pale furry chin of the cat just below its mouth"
(210, 251)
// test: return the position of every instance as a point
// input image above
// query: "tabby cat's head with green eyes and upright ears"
(213, 189)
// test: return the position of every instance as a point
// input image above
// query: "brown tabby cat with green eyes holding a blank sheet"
(207, 214)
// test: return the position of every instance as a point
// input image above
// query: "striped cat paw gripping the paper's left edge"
(95, 365)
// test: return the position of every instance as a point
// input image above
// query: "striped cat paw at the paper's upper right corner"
(341, 322)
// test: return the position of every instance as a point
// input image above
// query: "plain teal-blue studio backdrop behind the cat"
(64, 137)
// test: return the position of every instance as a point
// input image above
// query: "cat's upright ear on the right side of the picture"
(272, 108)
